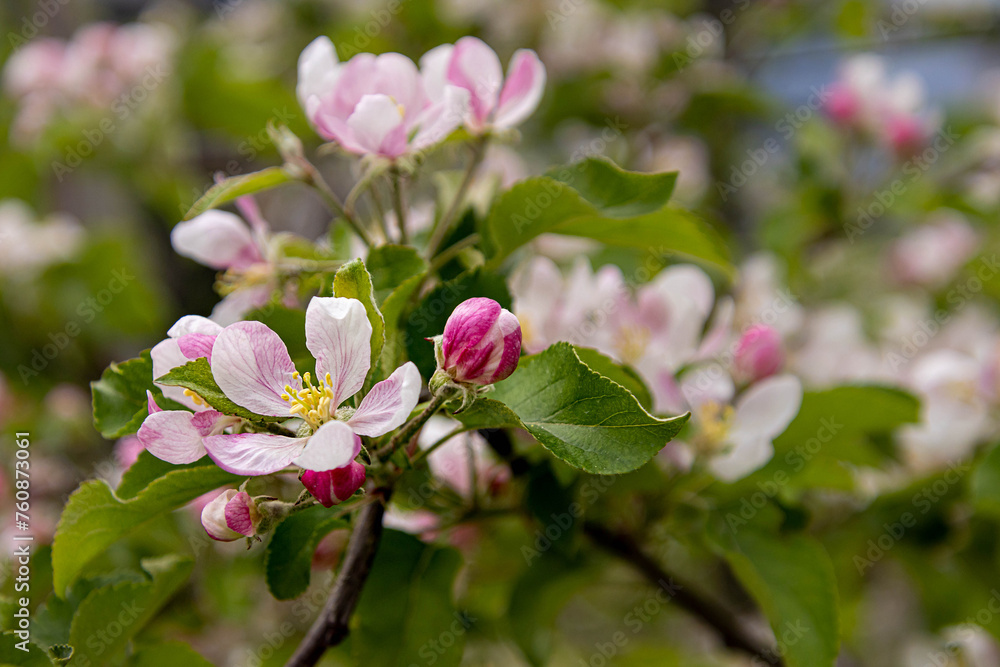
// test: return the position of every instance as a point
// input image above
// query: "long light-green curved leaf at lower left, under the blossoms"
(94, 518)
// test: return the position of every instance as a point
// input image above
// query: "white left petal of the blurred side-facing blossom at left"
(217, 239)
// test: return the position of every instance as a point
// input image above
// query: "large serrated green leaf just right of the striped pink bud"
(581, 417)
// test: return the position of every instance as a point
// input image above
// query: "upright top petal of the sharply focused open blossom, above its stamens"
(338, 334)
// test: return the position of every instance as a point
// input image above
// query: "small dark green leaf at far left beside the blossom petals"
(120, 403)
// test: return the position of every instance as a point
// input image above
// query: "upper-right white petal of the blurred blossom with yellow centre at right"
(767, 408)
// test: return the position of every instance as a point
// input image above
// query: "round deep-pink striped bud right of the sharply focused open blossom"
(481, 342)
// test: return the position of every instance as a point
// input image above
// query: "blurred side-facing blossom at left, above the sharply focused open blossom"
(224, 241)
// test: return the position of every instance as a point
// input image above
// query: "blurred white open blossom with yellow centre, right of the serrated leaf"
(737, 436)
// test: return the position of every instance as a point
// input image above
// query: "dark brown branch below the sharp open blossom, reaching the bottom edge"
(331, 626)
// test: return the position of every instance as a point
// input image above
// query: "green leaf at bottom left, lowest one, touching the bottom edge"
(109, 617)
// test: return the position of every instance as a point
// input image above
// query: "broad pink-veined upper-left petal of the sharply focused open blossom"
(252, 367)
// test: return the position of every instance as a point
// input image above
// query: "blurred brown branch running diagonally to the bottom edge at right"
(733, 633)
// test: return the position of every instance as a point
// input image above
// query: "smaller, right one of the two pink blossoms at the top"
(493, 101)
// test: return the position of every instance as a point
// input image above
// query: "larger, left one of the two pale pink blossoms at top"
(375, 105)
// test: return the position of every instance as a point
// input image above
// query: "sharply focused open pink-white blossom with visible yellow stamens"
(252, 366)
